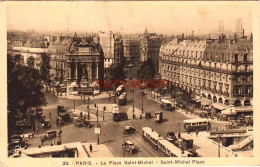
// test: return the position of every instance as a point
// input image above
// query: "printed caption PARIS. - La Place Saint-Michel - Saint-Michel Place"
(143, 162)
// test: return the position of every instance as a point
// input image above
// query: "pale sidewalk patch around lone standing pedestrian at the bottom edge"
(99, 151)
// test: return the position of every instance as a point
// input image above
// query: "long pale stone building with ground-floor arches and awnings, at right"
(218, 70)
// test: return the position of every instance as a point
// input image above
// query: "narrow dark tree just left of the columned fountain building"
(45, 70)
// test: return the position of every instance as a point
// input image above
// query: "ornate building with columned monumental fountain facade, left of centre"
(77, 59)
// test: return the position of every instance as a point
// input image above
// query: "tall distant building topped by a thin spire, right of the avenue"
(150, 48)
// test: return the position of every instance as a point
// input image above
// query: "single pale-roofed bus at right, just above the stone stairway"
(197, 124)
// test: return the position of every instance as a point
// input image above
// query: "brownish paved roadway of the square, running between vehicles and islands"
(112, 132)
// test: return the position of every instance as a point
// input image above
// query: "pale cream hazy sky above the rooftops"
(128, 17)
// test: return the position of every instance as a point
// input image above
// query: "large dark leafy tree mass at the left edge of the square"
(24, 88)
